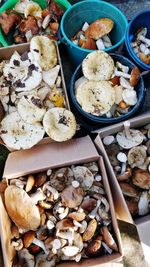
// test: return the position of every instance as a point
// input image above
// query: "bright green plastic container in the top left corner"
(7, 40)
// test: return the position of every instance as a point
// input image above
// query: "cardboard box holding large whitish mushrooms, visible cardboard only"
(6, 53)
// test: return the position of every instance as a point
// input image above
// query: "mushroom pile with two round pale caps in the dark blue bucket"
(107, 87)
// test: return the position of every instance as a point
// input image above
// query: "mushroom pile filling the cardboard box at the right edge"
(129, 154)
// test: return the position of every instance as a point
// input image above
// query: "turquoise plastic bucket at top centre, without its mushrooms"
(89, 11)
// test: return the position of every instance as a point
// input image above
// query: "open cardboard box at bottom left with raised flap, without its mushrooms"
(40, 158)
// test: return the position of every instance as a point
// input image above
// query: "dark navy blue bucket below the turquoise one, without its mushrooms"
(139, 89)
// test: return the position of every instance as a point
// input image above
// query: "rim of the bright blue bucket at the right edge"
(127, 42)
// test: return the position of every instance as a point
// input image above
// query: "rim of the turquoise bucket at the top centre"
(70, 43)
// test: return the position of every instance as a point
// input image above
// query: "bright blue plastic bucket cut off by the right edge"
(140, 20)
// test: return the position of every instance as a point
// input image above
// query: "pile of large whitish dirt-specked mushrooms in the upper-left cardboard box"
(32, 97)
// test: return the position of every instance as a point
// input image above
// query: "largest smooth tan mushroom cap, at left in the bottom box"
(21, 209)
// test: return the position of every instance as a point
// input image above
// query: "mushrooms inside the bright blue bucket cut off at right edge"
(141, 45)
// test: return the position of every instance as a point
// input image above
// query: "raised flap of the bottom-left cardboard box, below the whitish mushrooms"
(55, 154)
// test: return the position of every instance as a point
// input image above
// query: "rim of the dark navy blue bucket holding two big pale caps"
(97, 119)
